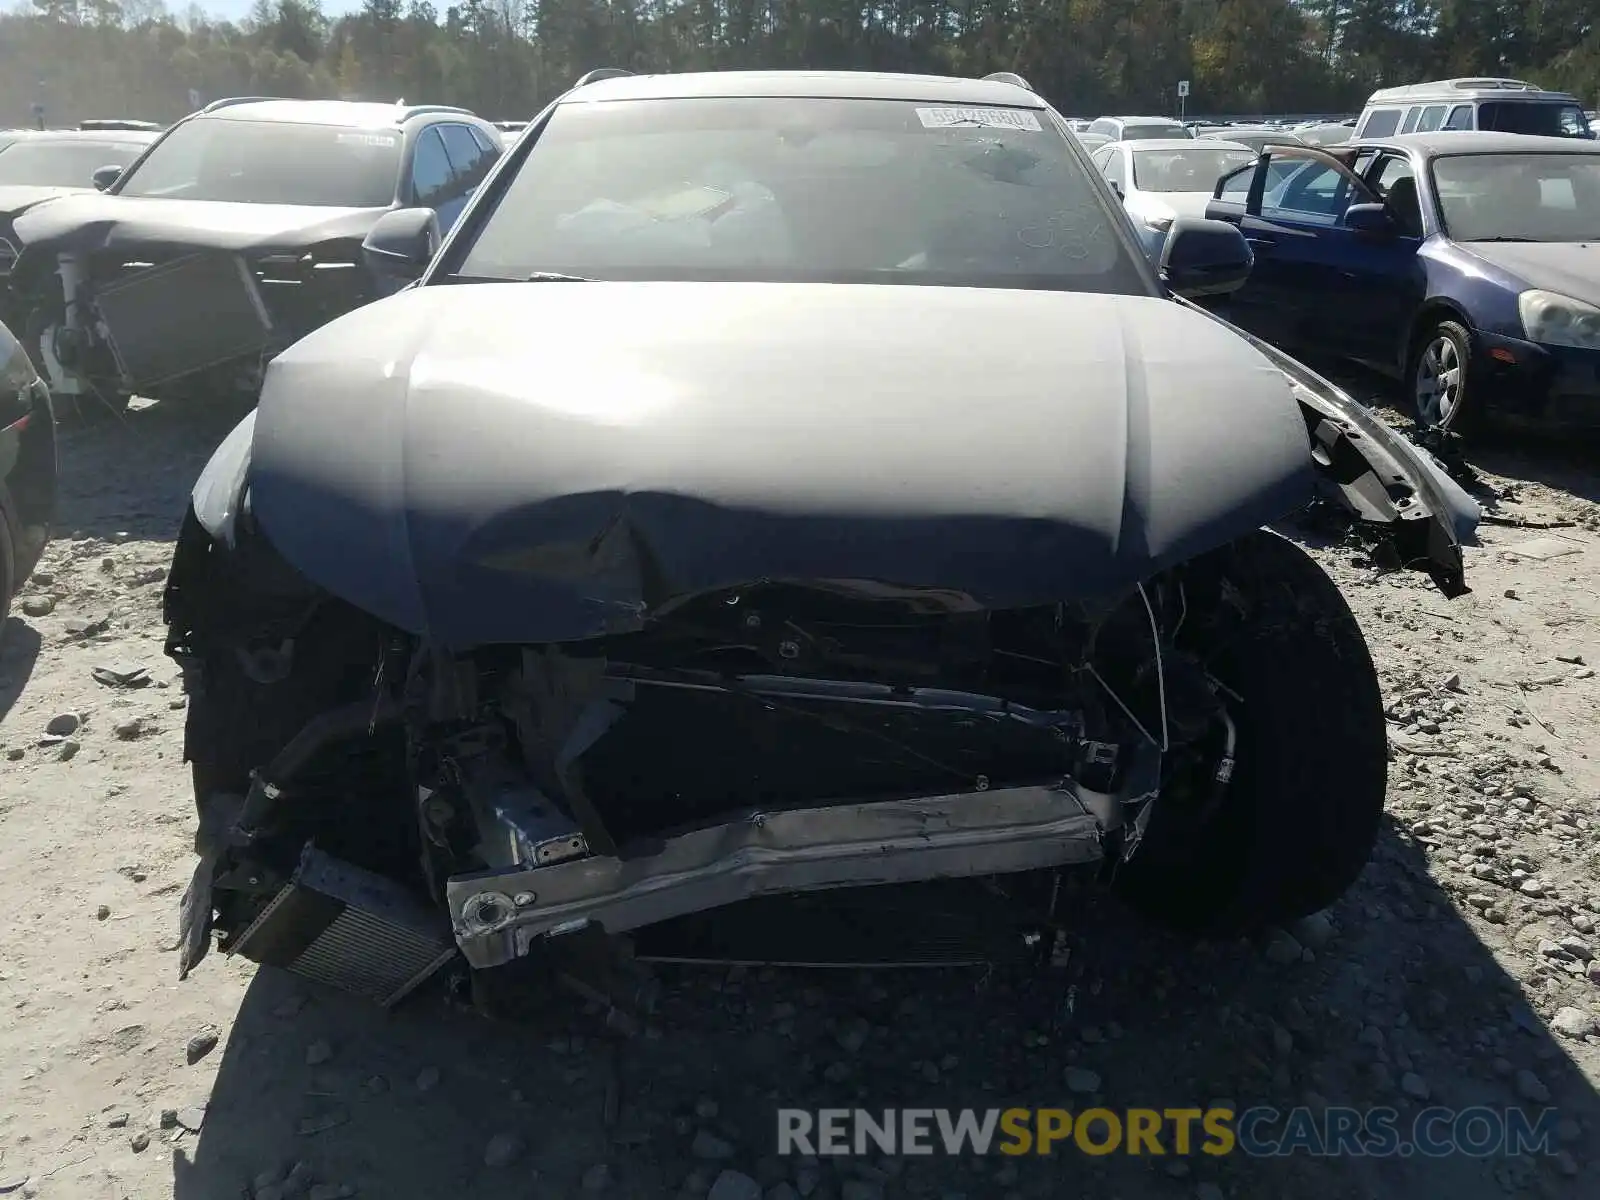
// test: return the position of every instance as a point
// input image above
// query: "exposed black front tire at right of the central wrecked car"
(1300, 817)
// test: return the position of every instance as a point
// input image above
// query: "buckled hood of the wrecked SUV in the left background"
(97, 222)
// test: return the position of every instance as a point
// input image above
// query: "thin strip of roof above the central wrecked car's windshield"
(807, 84)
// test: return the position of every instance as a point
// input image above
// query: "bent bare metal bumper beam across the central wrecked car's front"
(500, 916)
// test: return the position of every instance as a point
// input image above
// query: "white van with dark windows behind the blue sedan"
(1506, 105)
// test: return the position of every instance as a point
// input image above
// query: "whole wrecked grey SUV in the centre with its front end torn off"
(777, 484)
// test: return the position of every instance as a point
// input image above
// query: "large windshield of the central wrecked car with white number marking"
(834, 191)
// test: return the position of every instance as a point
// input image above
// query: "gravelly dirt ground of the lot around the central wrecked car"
(1436, 982)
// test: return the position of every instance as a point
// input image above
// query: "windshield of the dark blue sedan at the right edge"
(1519, 198)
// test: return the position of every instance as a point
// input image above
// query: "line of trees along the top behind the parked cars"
(506, 58)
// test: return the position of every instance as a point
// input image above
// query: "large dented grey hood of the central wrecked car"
(553, 462)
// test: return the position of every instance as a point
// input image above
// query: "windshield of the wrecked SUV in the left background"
(271, 164)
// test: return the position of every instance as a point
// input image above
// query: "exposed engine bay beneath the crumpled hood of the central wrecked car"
(753, 742)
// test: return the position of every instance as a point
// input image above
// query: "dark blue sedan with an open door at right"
(1465, 263)
